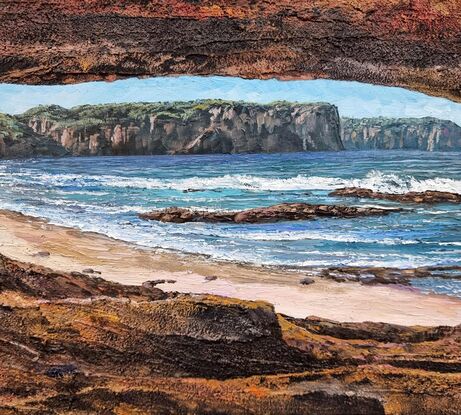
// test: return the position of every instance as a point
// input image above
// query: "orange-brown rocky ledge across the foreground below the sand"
(71, 343)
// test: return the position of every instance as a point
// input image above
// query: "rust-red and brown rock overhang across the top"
(414, 43)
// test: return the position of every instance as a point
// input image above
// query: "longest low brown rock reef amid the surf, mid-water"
(281, 212)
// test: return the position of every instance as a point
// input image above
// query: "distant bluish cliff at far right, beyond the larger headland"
(427, 134)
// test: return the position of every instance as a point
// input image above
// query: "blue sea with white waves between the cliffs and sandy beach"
(105, 194)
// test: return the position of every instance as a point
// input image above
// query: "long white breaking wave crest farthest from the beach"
(375, 180)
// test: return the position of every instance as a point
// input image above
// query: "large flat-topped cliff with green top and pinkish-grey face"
(189, 128)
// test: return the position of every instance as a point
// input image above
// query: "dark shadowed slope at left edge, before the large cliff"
(17, 140)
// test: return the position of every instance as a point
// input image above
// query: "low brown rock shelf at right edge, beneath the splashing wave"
(429, 196)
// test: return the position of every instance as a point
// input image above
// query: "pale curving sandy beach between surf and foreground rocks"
(72, 250)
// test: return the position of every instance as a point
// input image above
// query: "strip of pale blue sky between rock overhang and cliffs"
(352, 98)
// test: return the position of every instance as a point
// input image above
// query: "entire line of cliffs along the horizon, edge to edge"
(208, 127)
